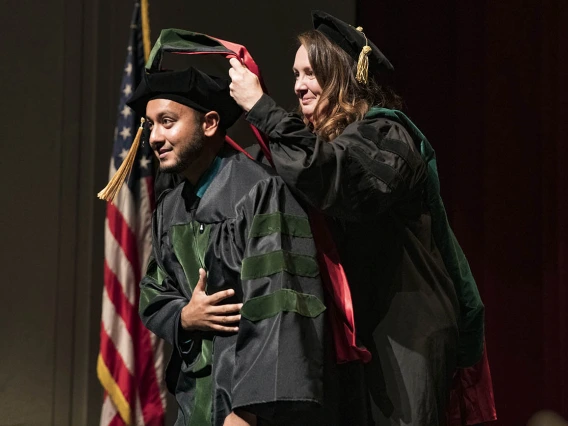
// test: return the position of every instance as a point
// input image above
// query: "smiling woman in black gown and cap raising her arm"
(354, 157)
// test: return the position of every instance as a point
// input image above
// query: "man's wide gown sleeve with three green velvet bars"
(279, 355)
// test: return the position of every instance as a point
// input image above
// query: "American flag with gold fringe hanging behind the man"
(130, 361)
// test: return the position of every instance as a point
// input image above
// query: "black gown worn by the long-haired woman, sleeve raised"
(370, 182)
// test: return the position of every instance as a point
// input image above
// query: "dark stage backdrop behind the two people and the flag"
(485, 80)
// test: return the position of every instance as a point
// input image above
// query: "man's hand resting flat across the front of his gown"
(203, 312)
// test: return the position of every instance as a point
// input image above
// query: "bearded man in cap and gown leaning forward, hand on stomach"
(236, 220)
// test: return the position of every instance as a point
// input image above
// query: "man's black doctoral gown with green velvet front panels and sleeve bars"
(250, 234)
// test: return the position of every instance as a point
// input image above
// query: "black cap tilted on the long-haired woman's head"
(352, 40)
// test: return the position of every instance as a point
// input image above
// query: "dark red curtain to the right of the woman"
(486, 81)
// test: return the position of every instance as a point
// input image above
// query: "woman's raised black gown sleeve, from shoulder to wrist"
(372, 166)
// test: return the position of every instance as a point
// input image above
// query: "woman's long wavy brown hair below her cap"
(343, 99)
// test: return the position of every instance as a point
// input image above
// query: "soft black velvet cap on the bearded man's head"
(189, 87)
